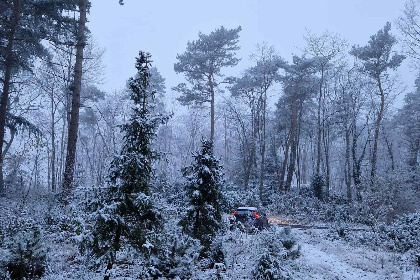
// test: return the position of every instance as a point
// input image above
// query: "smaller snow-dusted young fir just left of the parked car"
(204, 180)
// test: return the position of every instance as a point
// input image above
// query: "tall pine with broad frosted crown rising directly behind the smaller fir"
(202, 63)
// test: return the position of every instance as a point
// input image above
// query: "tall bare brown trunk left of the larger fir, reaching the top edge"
(75, 106)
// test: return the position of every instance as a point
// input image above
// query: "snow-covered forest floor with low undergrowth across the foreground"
(325, 253)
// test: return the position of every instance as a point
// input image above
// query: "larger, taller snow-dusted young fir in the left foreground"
(126, 214)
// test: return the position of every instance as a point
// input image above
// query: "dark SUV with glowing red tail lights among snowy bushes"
(250, 217)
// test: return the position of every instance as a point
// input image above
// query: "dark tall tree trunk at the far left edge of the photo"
(6, 83)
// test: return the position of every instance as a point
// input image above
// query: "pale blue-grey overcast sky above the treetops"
(164, 27)
